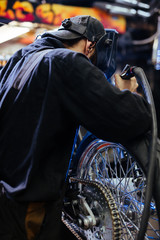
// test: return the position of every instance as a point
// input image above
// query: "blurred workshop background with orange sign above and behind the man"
(137, 21)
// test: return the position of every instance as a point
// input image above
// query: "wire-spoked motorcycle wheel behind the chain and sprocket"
(112, 166)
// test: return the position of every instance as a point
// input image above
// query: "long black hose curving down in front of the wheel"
(142, 80)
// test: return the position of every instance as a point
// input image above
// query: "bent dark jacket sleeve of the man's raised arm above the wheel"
(103, 109)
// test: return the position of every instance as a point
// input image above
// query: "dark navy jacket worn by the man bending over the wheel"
(38, 122)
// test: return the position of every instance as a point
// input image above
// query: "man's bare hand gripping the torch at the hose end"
(122, 84)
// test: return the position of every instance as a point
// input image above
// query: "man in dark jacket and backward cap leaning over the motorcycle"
(39, 118)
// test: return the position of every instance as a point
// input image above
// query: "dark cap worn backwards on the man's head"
(79, 26)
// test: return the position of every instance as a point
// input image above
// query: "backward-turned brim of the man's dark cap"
(64, 34)
